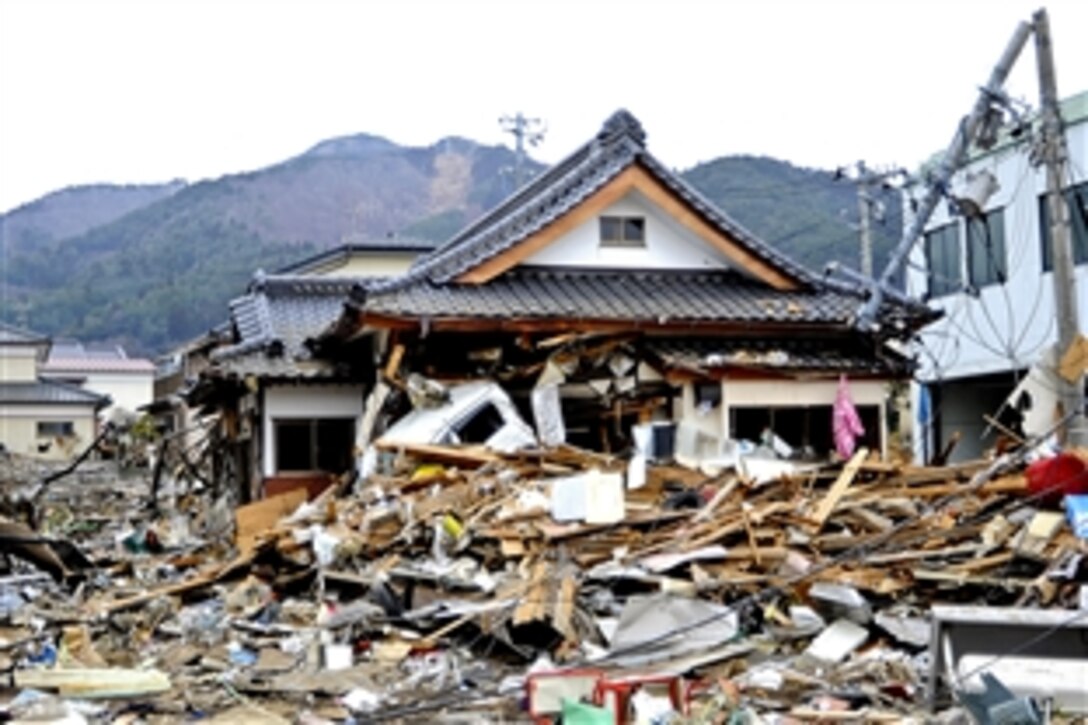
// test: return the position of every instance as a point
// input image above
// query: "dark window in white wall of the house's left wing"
(315, 445)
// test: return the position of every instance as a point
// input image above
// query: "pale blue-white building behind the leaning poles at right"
(992, 277)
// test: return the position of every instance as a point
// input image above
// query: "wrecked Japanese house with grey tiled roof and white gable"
(604, 294)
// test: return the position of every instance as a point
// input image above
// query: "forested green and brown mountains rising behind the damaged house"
(166, 271)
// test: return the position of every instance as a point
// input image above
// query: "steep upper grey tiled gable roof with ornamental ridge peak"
(620, 145)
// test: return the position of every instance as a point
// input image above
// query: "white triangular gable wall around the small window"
(670, 245)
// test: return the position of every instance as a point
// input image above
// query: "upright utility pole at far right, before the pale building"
(1058, 212)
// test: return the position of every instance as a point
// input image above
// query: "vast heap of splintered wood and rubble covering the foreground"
(494, 586)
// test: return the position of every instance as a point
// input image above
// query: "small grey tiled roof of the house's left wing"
(274, 321)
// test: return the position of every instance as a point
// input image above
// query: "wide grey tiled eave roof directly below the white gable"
(629, 296)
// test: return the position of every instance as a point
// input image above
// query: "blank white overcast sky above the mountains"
(150, 91)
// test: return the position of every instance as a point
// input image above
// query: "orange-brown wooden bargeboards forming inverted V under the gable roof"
(632, 179)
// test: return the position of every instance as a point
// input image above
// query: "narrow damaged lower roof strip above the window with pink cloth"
(849, 355)
